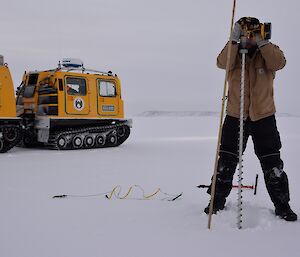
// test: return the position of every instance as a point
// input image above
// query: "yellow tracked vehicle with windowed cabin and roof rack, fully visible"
(71, 107)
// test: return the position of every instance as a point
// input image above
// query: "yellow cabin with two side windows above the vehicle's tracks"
(70, 92)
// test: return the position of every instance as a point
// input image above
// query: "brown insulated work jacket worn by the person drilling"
(259, 75)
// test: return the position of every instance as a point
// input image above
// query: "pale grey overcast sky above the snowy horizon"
(163, 50)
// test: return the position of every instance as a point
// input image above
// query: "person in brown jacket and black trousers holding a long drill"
(262, 61)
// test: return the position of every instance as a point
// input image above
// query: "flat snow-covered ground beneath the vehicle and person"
(172, 153)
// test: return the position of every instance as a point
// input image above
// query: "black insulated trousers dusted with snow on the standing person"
(267, 144)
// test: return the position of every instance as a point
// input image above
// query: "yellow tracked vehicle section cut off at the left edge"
(10, 125)
